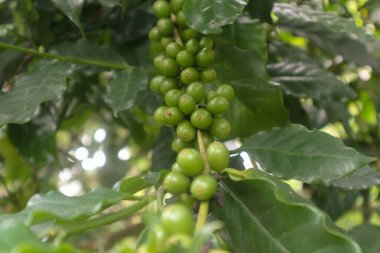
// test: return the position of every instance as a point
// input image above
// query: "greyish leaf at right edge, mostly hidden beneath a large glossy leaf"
(360, 179)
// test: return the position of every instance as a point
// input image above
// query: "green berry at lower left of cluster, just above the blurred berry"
(176, 183)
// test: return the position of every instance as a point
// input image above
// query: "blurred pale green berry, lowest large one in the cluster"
(177, 218)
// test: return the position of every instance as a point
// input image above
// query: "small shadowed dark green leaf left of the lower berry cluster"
(163, 156)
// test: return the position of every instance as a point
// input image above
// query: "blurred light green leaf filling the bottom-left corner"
(17, 238)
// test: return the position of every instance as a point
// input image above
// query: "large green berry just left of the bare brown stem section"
(191, 162)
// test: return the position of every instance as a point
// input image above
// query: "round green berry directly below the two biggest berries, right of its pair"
(203, 187)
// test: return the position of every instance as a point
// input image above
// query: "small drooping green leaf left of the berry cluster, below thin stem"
(123, 89)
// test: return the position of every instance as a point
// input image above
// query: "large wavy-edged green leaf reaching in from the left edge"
(45, 82)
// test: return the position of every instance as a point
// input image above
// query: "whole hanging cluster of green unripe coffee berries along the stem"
(183, 60)
